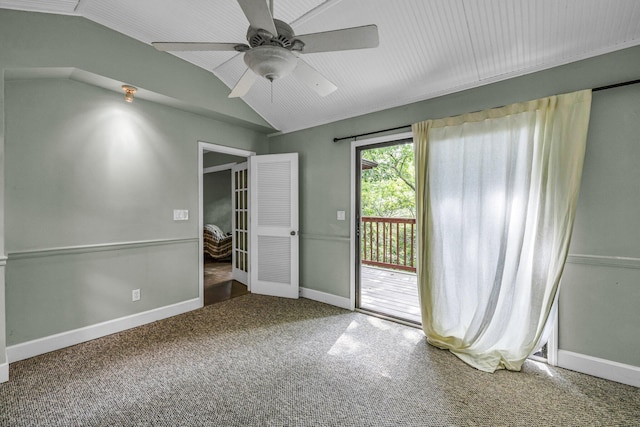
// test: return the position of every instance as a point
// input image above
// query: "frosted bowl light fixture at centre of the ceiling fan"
(271, 62)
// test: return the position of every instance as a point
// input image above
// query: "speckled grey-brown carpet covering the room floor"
(263, 361)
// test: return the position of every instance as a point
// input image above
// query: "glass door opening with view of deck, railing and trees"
(385, 252)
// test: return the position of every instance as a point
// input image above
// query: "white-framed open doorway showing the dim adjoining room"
(223, 223)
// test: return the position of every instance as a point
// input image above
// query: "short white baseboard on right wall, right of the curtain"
(602, 368)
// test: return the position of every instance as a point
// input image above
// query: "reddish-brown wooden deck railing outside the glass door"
(388, 242)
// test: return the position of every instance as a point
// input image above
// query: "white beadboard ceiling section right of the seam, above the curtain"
(509, 36)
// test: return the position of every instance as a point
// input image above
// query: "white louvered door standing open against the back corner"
(274, 225)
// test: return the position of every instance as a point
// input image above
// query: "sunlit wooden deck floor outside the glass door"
(390, 292)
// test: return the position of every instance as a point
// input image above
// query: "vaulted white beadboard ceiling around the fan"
(427, 47)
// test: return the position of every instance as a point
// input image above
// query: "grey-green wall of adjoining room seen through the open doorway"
(216, 199)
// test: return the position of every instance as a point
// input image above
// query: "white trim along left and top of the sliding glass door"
(352, 220)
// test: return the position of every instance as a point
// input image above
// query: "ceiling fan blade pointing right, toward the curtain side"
(345, 39)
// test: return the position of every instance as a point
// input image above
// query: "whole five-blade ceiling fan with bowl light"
(273, 50)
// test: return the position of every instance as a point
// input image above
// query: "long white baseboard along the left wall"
(65, 339)
